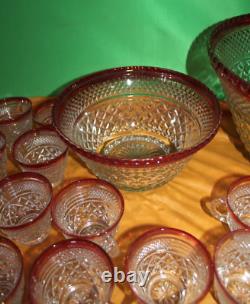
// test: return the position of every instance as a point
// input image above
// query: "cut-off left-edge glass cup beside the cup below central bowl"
(25, 208)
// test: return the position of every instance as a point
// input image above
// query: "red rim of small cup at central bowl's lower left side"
(34, 133)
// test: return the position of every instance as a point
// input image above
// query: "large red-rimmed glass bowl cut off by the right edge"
(229, 53)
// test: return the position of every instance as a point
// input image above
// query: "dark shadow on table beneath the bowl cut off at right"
(229, 128)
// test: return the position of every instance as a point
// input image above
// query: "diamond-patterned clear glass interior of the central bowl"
(136, 116)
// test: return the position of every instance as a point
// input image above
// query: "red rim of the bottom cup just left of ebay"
(61, 246)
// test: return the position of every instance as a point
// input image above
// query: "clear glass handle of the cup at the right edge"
(217, 208)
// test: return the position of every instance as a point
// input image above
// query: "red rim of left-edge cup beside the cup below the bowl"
(34, 177)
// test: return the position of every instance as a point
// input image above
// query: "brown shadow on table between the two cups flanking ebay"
(124, 242)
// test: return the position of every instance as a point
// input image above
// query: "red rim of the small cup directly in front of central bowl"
(56, 200)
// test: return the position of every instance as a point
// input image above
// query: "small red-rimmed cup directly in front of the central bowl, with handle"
(89, 209)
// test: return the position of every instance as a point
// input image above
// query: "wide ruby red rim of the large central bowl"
(133, 72)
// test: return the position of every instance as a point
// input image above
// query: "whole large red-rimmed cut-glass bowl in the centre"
(136, 127)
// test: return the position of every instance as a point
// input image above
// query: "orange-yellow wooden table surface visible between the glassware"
(176, 204)
